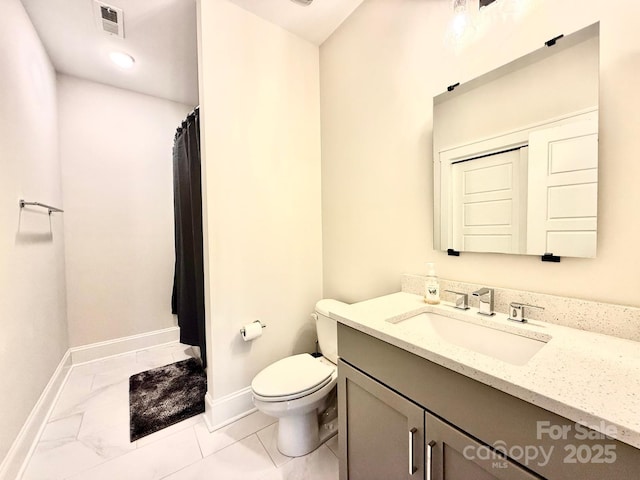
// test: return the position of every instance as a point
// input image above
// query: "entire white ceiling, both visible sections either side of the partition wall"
(161, 36)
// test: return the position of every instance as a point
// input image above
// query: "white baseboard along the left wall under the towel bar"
(14, 463)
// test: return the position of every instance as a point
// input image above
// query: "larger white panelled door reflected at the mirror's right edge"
(563, 178)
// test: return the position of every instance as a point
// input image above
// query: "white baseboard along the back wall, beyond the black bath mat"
(95, 351)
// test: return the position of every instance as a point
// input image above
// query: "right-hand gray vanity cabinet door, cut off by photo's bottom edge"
(453, 455)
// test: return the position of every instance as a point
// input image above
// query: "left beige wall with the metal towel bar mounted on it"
(33, 327)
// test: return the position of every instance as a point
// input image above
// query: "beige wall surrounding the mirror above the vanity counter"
(379, 73)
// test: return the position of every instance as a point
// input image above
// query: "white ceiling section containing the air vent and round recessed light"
(159, 34)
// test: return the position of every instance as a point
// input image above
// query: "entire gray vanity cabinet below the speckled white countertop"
(385, 392)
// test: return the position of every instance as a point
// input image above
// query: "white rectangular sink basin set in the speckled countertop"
(506, 346)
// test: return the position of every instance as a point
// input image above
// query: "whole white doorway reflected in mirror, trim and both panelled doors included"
(532, 191)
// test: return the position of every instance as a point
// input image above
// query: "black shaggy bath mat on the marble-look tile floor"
(165, 395)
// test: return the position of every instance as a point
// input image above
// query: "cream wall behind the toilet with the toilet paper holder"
(261, 140)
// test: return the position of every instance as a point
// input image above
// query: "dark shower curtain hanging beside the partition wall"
(188, 282)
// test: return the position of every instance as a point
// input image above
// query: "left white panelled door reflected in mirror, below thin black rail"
(488, 203)
